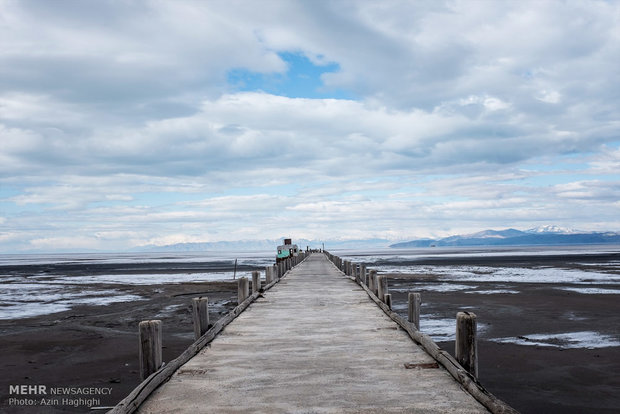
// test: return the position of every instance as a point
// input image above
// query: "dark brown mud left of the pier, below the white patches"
(97, 346)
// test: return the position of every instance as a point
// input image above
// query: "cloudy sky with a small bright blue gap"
(126, 123)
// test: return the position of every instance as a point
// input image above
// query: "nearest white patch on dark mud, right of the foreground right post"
(572, 340)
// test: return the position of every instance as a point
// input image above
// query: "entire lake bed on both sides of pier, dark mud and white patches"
(548, 321)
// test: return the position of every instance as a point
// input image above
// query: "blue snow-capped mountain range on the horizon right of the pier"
(544, 235)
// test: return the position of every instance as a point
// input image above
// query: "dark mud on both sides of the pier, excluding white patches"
(96, 346)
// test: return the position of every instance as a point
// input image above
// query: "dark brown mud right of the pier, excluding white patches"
(534, 378)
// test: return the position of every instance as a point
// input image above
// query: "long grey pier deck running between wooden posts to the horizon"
(315, 343)
